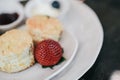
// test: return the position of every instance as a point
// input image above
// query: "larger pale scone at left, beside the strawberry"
(16, 51)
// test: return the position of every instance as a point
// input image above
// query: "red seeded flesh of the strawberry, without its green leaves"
(48, 52)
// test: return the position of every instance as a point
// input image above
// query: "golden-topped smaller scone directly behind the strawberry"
(44, 27)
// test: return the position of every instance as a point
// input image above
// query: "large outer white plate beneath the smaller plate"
(84, 23)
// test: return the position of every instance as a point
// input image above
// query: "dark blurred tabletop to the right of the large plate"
(108, 60)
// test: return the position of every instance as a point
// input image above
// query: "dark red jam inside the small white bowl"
(7, 18)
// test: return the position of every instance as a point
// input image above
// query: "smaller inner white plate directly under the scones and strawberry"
(69, 44)
